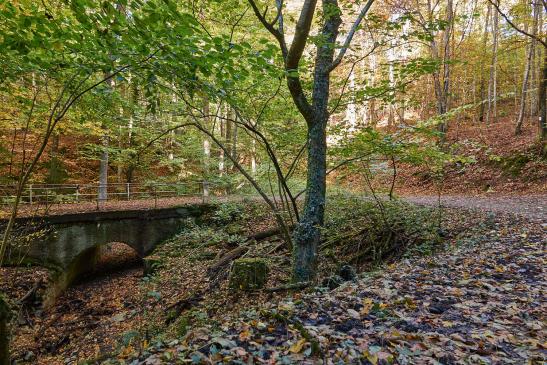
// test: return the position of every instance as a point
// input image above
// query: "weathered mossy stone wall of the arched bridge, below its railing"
(72, 242)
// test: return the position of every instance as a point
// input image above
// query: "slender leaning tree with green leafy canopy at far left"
(68, 52)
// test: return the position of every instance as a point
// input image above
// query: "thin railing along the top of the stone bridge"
(47, 194)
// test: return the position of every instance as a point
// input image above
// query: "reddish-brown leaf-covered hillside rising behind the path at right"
(503, 163)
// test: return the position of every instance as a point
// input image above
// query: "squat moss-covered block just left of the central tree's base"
(249, 274)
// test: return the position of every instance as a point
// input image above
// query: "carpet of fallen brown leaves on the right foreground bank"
(480, 302)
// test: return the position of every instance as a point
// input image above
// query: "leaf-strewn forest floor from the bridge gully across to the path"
(479, 299)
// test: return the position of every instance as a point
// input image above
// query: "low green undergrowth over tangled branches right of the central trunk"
(363, 230)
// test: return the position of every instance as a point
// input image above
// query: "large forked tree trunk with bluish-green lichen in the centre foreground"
(315, 111)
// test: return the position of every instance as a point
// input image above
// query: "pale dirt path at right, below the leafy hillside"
(530, 206)
